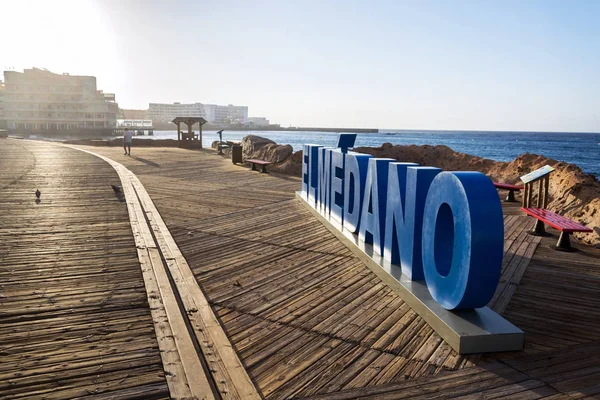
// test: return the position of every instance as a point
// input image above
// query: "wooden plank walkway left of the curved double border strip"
(74, 320)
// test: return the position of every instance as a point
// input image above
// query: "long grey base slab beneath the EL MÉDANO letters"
(479, 330)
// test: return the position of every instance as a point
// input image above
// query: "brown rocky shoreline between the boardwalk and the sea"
(573, 193)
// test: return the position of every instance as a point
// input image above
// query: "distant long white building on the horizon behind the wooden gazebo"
(215, 114)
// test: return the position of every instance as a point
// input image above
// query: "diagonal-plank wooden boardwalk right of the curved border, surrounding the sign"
(309, 320)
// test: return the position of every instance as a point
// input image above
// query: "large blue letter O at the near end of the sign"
(463, 239)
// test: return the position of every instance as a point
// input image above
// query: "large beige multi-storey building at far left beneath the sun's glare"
(39, 101)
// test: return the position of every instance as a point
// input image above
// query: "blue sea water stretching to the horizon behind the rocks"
(582, 149)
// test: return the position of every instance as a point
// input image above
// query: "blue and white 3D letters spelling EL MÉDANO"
(442, 227)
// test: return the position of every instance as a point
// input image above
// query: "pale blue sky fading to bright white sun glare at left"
(450, 65)
